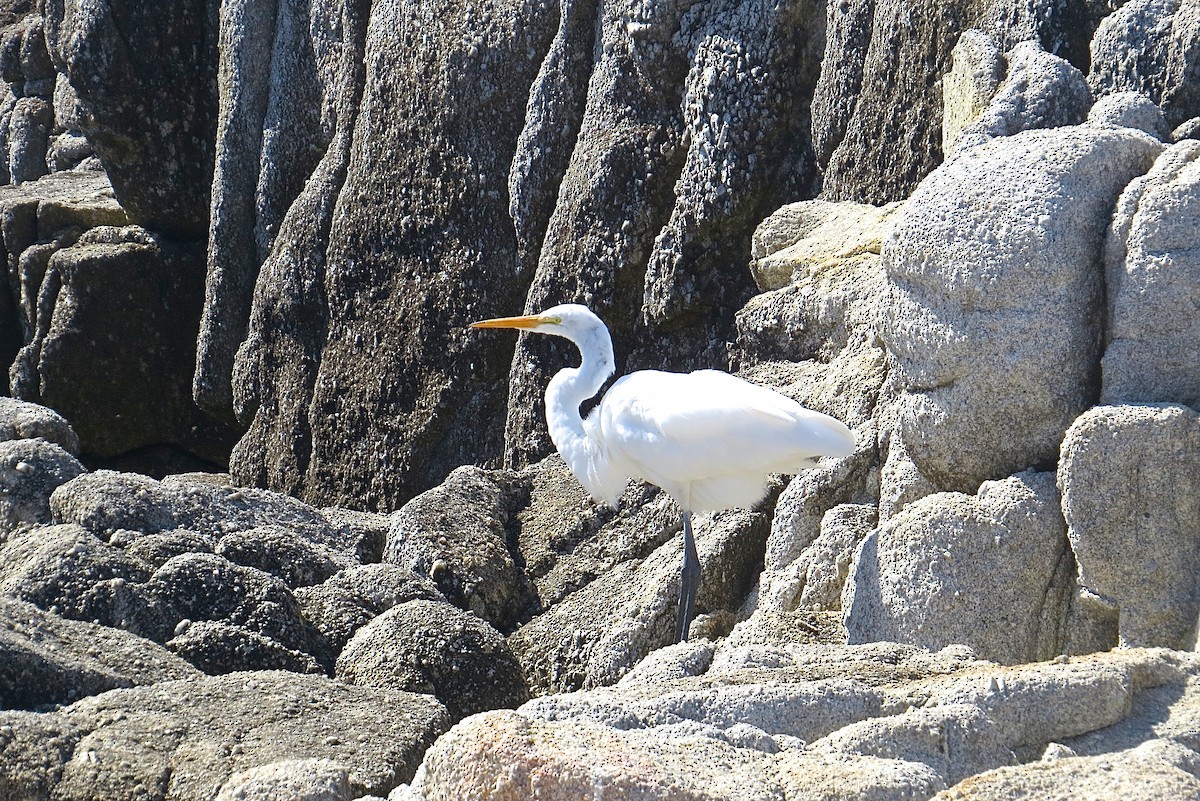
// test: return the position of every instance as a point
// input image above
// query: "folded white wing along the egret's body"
(674, 429)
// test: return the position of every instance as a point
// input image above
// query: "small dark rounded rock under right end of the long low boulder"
(281, 553)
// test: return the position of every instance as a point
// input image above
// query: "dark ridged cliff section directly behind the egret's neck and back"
(694, 129)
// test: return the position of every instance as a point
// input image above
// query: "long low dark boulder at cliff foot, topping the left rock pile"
(106, 502)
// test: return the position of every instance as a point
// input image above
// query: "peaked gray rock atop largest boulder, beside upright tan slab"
(1040, 91)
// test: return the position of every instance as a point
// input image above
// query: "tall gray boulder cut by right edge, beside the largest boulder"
(1151, 266)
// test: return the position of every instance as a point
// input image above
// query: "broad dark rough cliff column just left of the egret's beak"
(380, 412)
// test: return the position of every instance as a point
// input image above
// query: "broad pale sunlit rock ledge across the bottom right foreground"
(833, 722)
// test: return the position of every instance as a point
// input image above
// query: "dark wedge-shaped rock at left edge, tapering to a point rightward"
(46, 660)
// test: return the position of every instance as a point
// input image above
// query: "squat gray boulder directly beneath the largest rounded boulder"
(991, 571)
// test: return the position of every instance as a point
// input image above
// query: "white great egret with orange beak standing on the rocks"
(710, 439)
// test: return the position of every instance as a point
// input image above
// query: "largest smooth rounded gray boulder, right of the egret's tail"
(983, 255)
